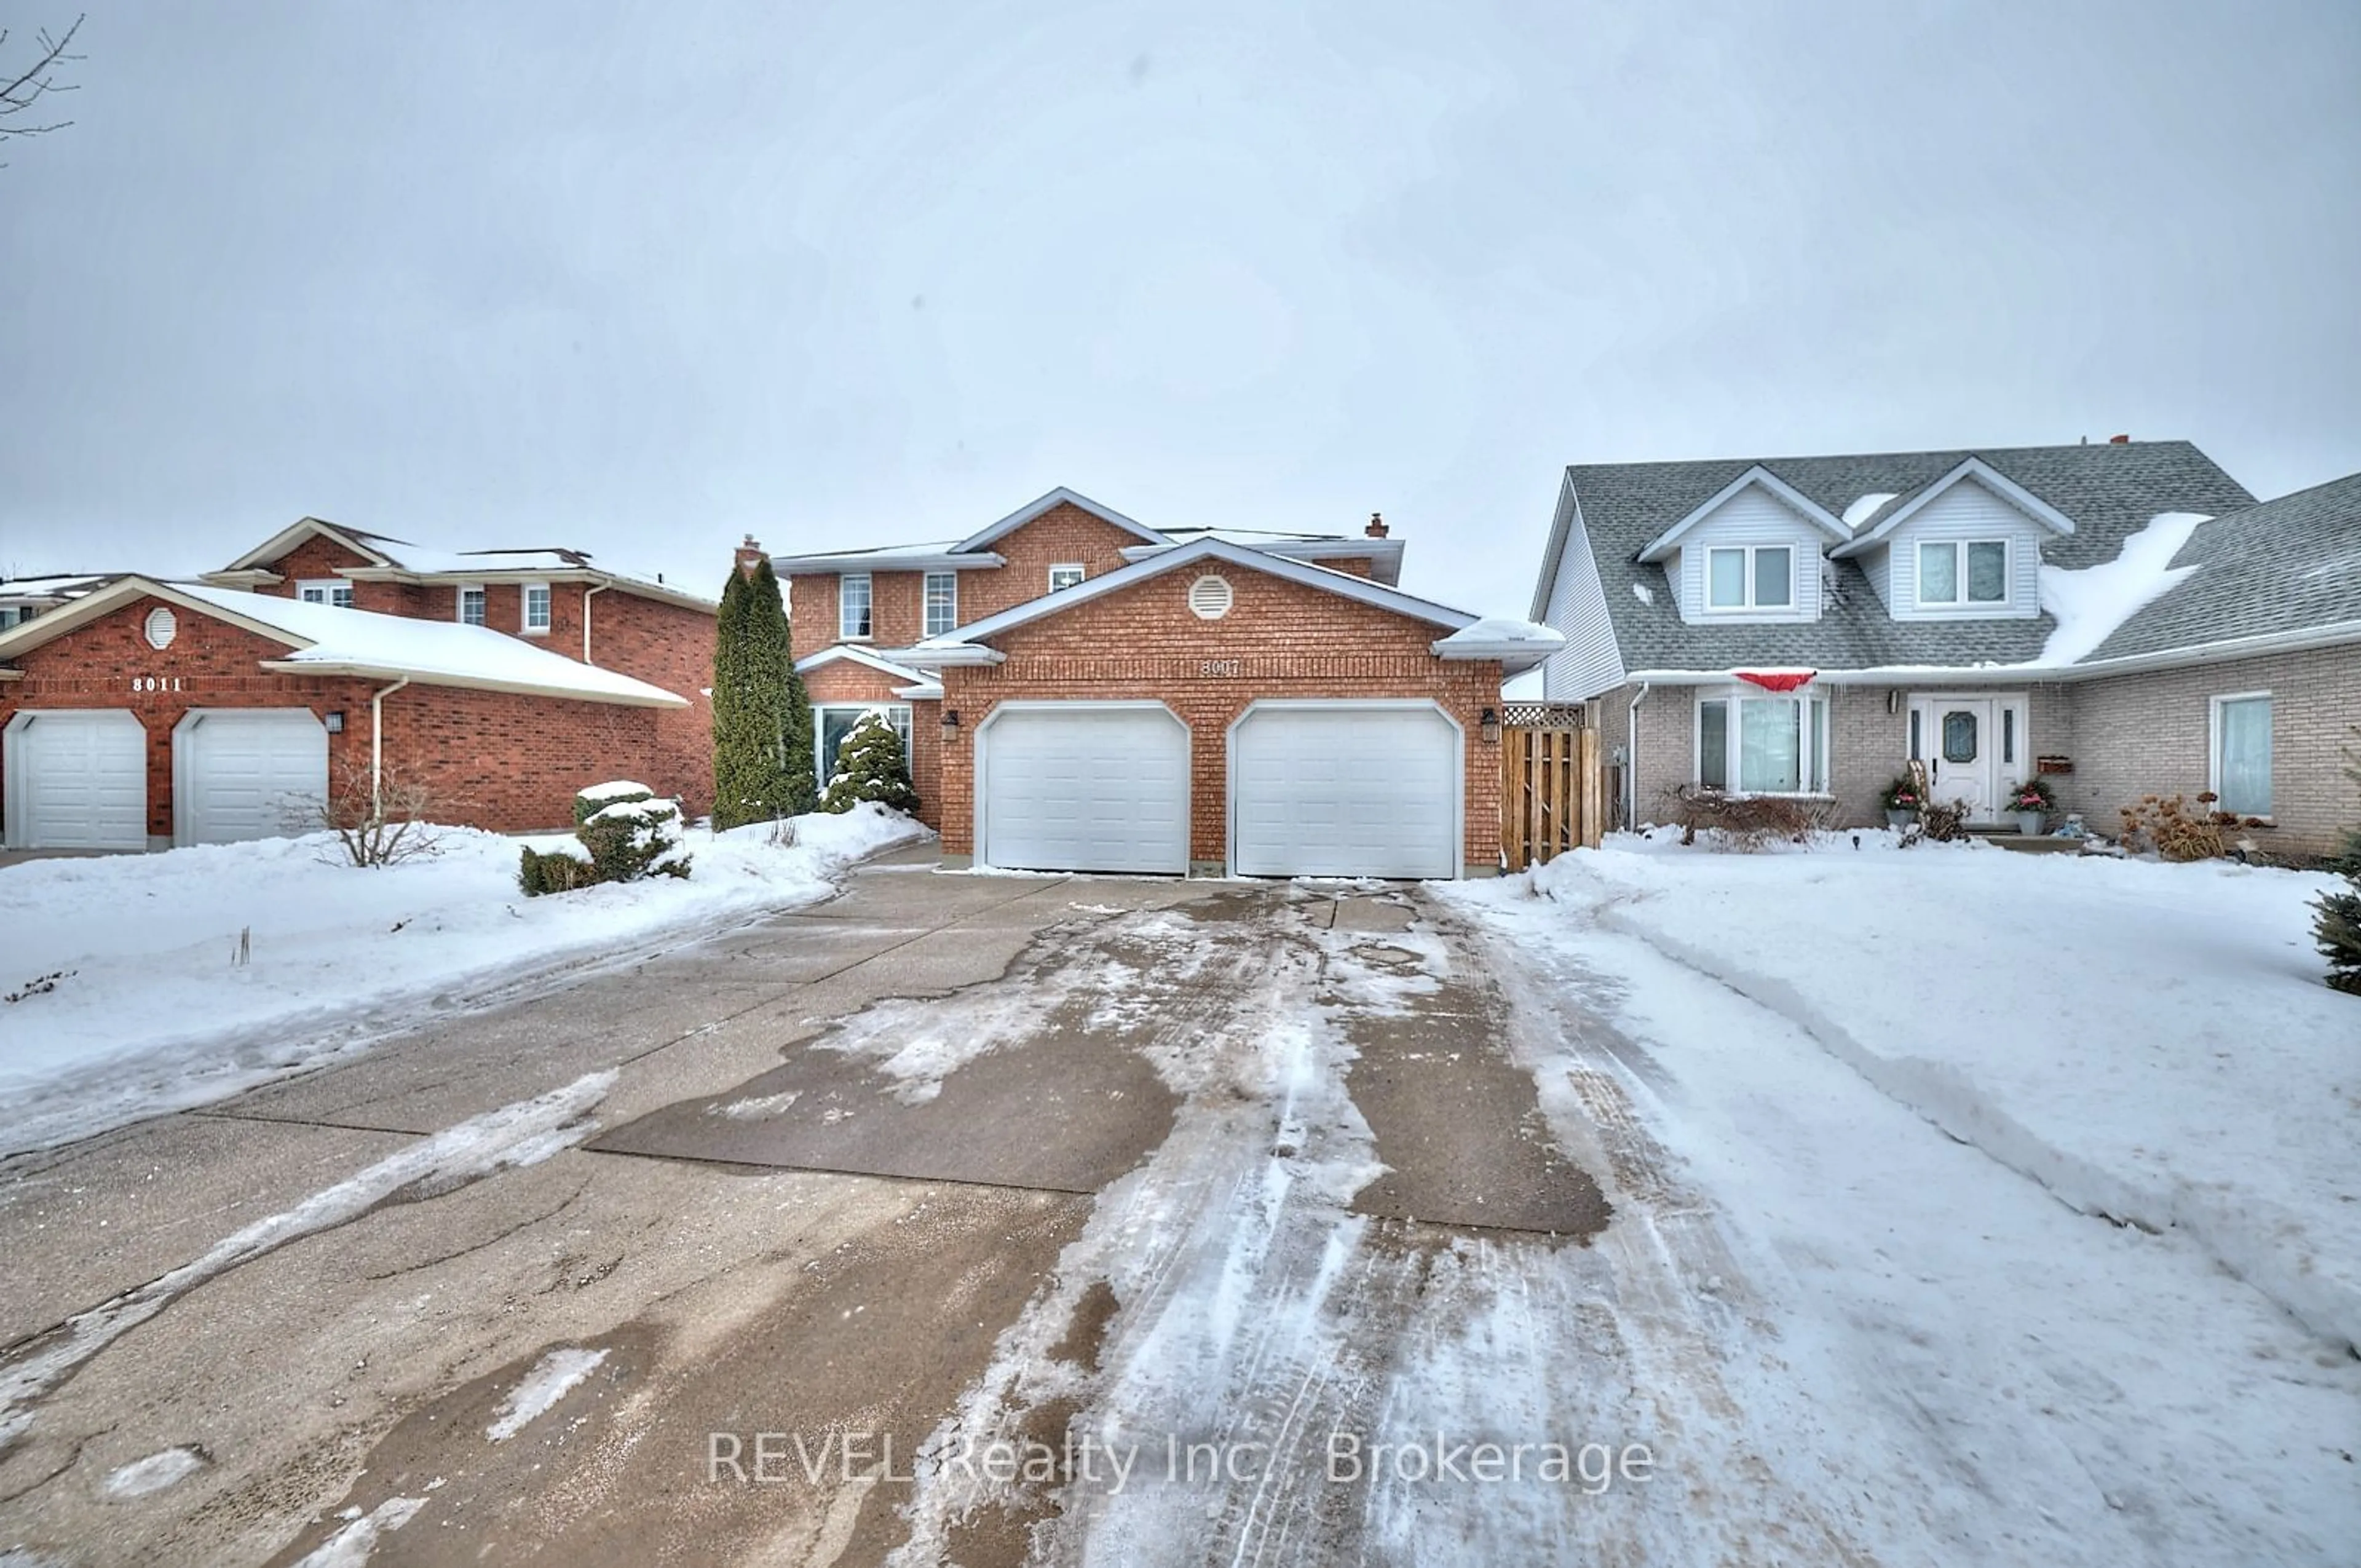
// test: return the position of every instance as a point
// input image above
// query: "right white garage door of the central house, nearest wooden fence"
(1345, 790)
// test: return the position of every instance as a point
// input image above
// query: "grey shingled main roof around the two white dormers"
(2110, 492)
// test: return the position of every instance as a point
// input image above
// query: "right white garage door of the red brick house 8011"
(251, 773)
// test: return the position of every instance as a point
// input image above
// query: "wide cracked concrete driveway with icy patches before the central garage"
(771, 1248)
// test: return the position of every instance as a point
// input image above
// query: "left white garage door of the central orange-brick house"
(1085, 790)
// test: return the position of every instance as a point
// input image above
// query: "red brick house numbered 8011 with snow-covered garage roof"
(145, 714)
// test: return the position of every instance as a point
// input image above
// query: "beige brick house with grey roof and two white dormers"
(2121, 620)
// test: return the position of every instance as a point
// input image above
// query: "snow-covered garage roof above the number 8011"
(329, 641)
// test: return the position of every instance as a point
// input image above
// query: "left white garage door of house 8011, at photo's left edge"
(77, 780)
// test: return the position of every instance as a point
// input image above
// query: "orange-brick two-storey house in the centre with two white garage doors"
(1087, 693)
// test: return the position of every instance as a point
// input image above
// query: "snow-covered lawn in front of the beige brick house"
(2150, 1043)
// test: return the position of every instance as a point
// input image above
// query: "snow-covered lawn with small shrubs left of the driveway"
(195, 974)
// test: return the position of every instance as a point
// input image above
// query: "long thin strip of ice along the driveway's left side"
(499, 1139)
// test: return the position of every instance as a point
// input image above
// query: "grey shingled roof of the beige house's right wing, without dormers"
(2277, 568)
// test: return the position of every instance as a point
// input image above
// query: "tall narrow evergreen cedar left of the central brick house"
(761, 712)
